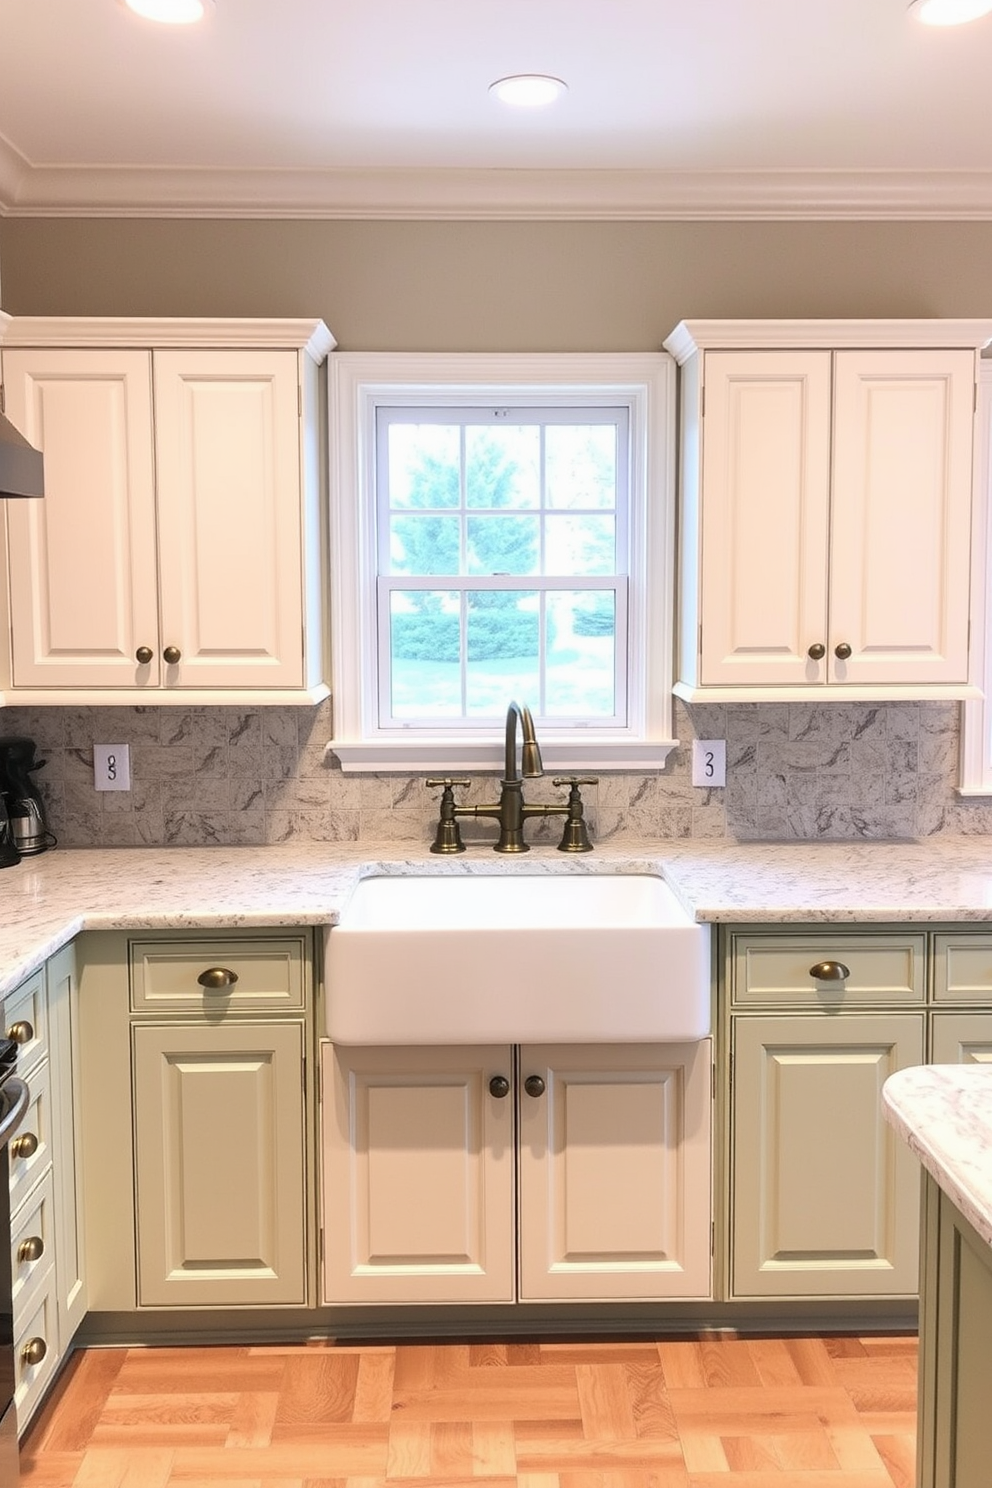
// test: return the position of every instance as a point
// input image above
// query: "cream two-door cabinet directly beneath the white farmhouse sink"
(545, 1173)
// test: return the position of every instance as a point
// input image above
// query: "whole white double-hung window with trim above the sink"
(502, 529)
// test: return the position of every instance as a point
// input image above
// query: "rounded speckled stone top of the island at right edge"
(945, 1114)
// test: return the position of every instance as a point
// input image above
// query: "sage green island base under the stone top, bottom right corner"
(956, 1362)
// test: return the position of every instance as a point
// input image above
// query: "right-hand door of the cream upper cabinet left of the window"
(228, 461)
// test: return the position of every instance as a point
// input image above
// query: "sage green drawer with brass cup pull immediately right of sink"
(780, 969)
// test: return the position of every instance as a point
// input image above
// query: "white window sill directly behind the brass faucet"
(486, 757)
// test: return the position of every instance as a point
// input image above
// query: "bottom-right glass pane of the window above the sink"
(581, 654)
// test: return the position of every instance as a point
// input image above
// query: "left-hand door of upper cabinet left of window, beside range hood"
(83, 563)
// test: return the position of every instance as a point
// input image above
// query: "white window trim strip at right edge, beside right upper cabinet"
(976, 718)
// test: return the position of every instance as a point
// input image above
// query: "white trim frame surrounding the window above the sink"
(358, 382)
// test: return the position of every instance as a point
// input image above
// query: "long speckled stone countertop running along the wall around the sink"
(45, 901)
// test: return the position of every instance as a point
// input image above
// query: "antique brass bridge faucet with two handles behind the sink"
(511, 810)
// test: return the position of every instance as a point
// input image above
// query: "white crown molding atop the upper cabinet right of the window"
(832, 336)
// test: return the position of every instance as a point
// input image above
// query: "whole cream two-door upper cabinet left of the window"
(178, 551)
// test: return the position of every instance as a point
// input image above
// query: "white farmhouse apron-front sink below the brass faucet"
(517, 959)
